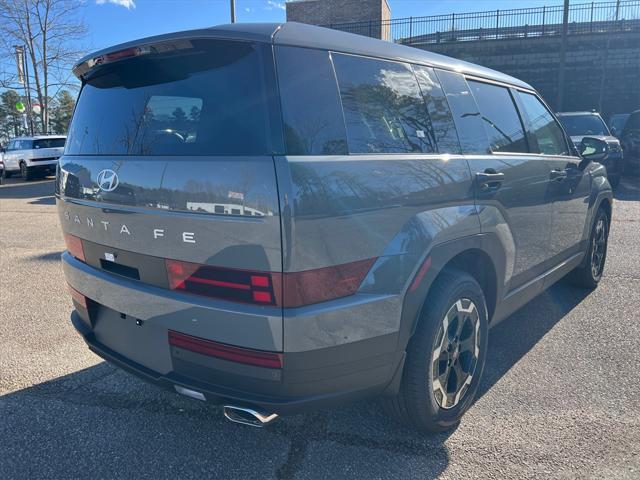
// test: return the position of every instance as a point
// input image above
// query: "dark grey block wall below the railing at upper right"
(592, 60)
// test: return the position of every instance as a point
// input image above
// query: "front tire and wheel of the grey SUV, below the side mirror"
(589, 272)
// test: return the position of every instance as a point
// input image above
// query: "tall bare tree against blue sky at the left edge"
(51, 31)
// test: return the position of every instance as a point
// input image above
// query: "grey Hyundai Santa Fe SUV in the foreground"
(314, 217)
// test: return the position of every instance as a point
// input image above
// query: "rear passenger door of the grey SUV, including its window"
(511, 182)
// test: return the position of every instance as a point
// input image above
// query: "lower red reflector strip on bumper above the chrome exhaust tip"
(227, 352)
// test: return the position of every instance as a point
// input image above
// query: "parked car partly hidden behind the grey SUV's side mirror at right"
(581, 124)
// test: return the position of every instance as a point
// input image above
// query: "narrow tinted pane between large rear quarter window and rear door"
(442, 127)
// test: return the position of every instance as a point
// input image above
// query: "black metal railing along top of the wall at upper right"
(584, 18)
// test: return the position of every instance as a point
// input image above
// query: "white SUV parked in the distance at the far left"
(33, 156)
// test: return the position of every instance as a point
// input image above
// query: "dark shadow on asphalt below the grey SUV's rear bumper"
(88, 411)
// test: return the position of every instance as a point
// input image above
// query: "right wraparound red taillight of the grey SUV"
(290, 290)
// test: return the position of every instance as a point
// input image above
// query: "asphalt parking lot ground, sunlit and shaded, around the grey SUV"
(560, 398)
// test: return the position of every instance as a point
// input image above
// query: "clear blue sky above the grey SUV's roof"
(115, 21)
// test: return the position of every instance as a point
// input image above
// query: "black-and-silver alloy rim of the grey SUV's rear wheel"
(455, 353)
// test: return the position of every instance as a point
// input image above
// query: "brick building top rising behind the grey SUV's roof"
(327, 12)
